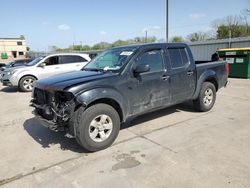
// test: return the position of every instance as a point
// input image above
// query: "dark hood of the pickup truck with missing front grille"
(66, 80)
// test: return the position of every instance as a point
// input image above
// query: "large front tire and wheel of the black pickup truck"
(97, 127)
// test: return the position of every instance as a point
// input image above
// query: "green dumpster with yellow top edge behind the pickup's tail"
(239, 61)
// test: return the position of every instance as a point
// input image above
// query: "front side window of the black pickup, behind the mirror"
(153, 59)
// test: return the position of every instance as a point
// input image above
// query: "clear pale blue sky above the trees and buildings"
(64, 22)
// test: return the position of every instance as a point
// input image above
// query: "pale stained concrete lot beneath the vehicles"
(175, 147)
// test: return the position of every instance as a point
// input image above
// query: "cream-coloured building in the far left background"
(13, 48)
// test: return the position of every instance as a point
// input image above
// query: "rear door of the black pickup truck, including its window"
(182, 75)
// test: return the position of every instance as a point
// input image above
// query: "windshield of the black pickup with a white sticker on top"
(110, 60)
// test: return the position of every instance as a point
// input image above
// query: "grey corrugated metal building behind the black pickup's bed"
(202, 50)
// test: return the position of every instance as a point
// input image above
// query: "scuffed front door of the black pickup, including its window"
(151, 89)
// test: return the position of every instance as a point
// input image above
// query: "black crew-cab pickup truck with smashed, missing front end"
(123, 82)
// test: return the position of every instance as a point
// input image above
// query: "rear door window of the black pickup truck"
(178, 57)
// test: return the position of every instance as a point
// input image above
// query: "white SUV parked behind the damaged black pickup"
(43, 67)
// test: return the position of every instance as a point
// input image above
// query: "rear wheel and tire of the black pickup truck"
(207, 97)
